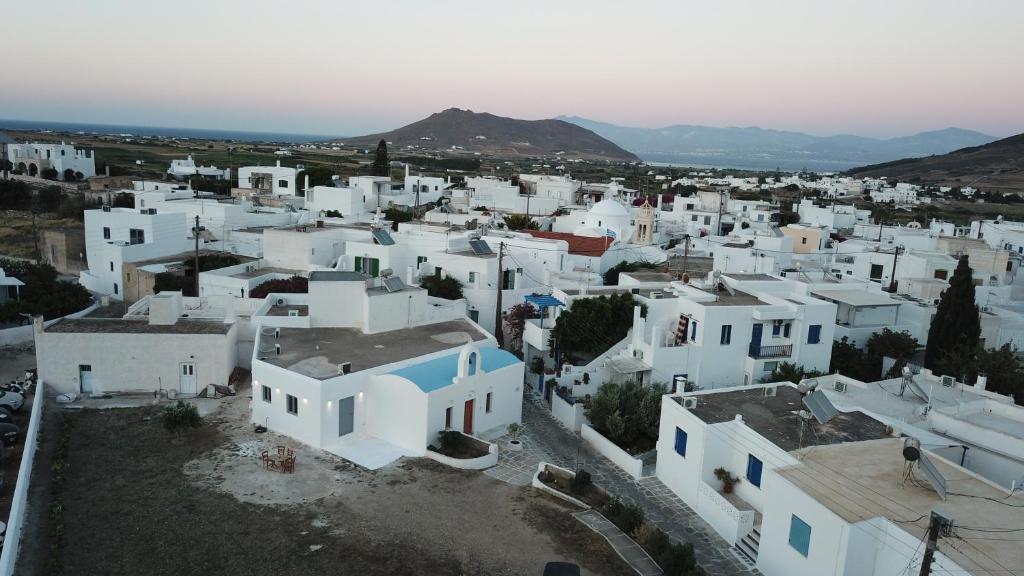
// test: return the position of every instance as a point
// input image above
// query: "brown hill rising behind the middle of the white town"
(496, 136)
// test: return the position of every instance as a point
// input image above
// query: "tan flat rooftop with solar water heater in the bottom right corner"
(863, 480)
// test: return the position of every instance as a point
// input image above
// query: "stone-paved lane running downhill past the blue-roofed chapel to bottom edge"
(545, 440)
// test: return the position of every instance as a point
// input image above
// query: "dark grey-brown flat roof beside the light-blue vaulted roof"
(318, 352)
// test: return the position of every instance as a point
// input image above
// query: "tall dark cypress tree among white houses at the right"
(956, 328)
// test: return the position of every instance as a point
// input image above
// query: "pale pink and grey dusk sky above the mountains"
(876, 68)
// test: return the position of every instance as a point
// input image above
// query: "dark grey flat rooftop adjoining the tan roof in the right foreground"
(776, 418)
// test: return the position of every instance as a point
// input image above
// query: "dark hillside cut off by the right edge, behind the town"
(995, 167)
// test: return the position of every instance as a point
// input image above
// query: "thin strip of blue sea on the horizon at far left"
(162, 132)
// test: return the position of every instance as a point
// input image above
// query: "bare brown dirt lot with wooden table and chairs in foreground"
(141, 502)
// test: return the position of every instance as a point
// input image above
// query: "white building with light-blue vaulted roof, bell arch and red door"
(373, 373)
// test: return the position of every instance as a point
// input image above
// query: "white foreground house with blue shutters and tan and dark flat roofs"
(827, 499)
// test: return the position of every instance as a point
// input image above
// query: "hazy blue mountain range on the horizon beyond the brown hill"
(762, 149)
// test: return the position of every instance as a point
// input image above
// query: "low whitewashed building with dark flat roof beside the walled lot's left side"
(164, 344)
